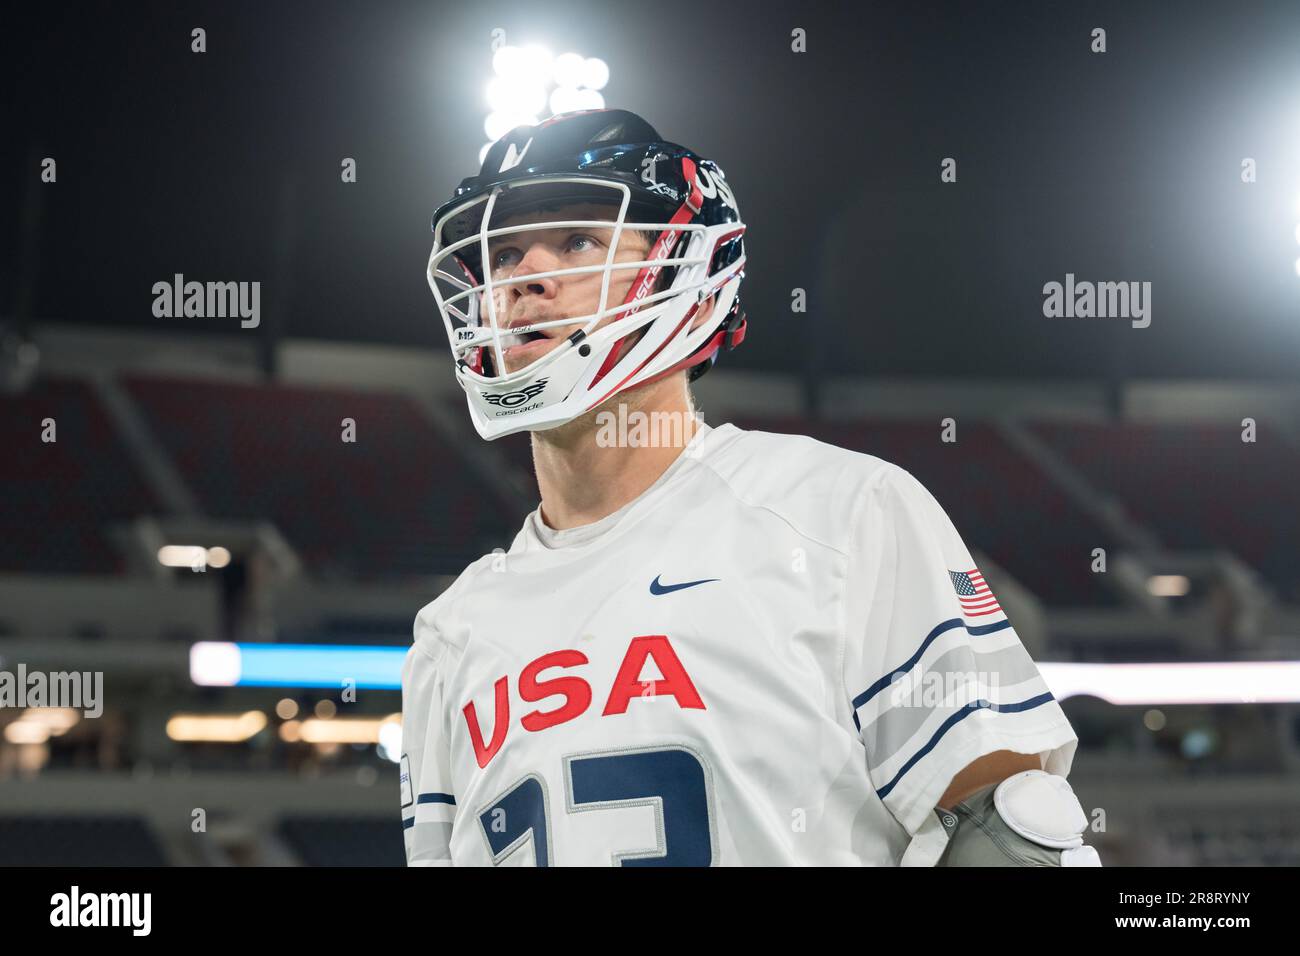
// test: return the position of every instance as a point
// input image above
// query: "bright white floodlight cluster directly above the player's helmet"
(530, 81)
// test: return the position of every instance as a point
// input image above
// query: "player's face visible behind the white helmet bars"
(558, 297)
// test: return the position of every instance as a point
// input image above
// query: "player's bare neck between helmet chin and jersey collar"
(587, 470)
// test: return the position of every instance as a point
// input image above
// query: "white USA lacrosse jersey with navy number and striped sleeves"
(781, 654)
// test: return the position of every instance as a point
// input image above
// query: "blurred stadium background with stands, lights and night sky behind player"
(200, 512)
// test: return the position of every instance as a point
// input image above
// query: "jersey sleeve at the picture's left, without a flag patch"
(428, 801)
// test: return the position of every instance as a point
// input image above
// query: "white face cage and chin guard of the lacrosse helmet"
(578, 375)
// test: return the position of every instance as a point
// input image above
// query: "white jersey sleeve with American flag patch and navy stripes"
(935, 672)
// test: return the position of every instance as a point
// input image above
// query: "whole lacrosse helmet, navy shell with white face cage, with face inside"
(600, 319)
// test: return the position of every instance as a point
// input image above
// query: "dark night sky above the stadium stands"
(1116, 167)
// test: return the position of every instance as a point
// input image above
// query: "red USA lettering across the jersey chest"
(578, 693)
